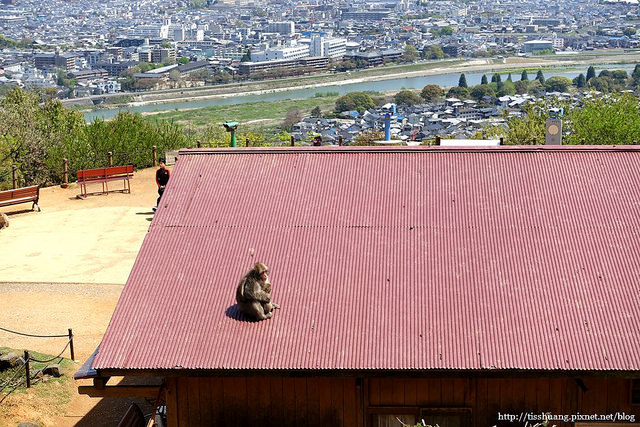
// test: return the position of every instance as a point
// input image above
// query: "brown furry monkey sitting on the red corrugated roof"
(253, 294)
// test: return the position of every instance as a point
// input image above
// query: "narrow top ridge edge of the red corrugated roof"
(410, 149)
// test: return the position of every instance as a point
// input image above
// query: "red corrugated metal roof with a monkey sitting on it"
(403, 258)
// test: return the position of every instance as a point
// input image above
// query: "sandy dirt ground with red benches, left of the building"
(64, 267)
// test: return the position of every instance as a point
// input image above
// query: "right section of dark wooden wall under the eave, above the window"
(488, 396)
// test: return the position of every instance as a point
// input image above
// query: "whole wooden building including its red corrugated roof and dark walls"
(462, 287)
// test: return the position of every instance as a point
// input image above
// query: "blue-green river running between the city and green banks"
(445, 80)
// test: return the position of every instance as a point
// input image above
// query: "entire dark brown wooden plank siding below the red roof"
(339, 401)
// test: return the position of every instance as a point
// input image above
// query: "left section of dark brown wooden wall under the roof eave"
(265, 402)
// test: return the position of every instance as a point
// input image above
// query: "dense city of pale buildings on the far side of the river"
(81, 48)
